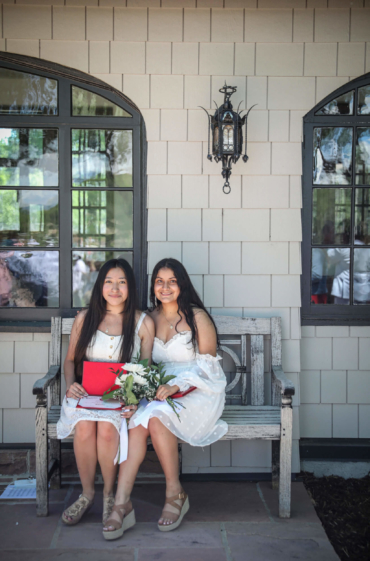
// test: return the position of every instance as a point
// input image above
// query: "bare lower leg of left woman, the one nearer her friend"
(107, 446)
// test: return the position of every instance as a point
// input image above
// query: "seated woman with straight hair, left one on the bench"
(112, 329)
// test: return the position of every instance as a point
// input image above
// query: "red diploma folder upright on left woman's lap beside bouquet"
(97, 377)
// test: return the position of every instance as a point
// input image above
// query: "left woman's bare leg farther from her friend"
(84, 446)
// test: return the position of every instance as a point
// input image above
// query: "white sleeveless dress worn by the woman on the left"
(104, 348)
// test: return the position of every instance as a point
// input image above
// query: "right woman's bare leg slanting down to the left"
(137, 445)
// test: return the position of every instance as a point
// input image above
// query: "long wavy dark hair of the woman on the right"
(188, 298)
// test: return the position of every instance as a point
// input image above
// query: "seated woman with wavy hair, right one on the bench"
(186, 342)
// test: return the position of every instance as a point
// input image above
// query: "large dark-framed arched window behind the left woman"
(72, 187)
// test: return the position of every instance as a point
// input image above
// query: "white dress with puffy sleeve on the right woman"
(200, 423)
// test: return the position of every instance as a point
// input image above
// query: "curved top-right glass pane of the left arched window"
(89, 104)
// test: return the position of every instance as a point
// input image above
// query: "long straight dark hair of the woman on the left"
(97, 310)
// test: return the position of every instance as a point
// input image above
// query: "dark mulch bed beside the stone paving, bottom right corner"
(343, 506)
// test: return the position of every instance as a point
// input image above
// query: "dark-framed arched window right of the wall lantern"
(336, 208)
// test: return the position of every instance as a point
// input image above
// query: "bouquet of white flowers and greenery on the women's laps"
(136, 380)
